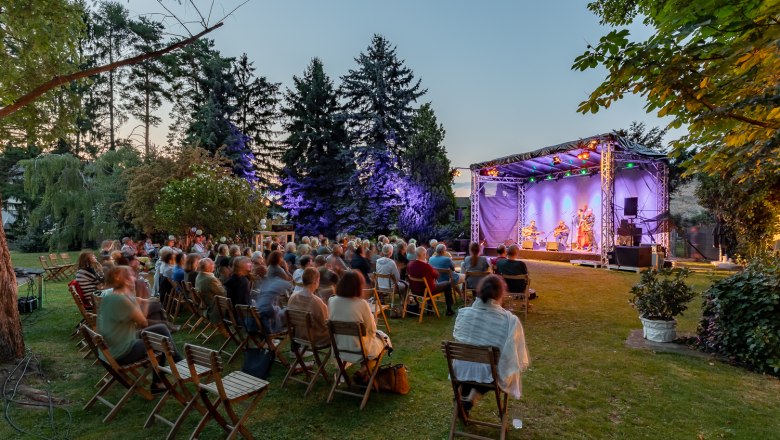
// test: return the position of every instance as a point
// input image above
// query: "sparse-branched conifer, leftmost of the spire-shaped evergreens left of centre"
(256, 115)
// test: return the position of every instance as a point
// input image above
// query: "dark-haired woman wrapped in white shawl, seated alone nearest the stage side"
(487, 323)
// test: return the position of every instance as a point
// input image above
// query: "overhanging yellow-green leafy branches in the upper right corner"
(711, 66)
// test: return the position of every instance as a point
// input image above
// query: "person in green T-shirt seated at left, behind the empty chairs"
(120, 317)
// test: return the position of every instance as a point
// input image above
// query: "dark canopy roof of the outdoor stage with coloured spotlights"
(540, 162)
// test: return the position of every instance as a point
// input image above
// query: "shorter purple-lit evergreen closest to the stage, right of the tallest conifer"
(429, 201)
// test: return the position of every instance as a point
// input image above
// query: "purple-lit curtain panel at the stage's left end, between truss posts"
(498, 213)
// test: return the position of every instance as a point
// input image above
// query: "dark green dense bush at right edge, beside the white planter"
(741, 317)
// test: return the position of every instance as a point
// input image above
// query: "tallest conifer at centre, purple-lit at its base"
(379, 96)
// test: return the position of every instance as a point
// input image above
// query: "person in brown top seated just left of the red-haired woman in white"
(307, 300)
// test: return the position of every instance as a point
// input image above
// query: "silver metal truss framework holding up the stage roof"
(610, 159)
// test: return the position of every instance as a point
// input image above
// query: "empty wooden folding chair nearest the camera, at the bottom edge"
(229, 390)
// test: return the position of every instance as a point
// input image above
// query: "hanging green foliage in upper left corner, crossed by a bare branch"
(38, 40)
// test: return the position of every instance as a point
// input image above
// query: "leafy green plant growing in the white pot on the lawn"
(662, 294)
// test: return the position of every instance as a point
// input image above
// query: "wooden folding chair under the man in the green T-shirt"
(133, 377)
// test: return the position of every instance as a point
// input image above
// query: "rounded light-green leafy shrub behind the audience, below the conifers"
(211, 199)
